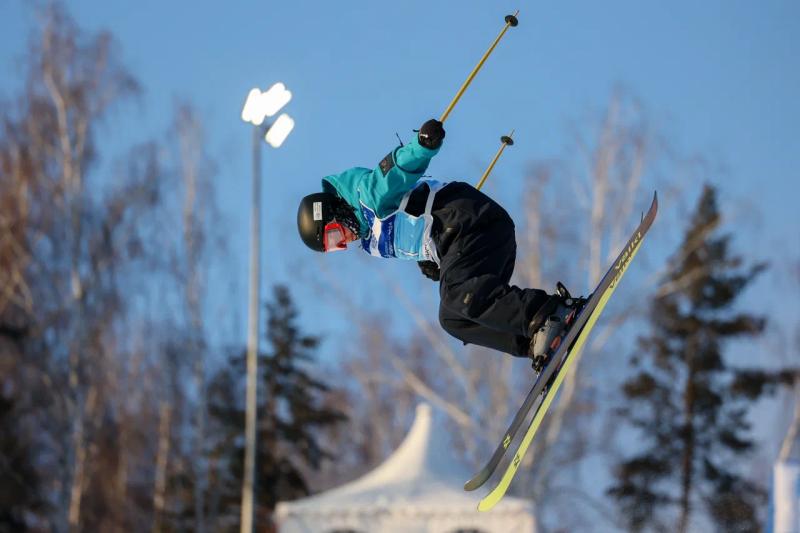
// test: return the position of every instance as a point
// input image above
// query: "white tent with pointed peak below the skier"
(418, 489)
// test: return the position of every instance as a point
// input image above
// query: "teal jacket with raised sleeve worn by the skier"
(382, 188)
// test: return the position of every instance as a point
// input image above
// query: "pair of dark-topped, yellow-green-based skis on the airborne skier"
(549, 381)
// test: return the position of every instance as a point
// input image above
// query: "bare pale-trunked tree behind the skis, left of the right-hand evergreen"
(602, 185)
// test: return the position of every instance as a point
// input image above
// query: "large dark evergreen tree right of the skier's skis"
(686, 400)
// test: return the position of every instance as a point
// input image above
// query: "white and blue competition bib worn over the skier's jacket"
(400, 234)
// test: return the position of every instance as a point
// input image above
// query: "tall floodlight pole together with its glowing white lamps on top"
(257, 108)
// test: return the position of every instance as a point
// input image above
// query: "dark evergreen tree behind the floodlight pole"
(291, 415)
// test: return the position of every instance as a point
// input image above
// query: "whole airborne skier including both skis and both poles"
(463, 239)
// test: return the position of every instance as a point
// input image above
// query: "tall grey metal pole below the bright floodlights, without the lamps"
(249, 481)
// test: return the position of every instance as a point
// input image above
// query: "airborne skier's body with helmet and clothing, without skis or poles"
(458, 236)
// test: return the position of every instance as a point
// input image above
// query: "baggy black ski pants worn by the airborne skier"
(474, 238)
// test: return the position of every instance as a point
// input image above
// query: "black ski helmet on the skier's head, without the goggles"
(318, 210)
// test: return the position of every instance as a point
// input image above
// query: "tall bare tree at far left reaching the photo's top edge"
(73, 81)
